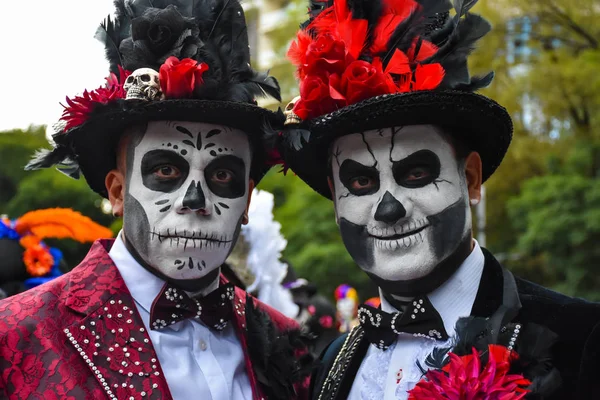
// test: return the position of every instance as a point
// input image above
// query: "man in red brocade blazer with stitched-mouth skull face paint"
(176, 142)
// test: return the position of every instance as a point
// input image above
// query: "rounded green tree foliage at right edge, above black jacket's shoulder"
(558, 220)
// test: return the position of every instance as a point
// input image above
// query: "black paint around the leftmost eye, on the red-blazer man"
(164, 170)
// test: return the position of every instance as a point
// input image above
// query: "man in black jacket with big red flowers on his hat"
(388, 126)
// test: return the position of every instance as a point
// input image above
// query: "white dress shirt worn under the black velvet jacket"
(390, 374)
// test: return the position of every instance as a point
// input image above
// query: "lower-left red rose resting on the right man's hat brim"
(316, 98)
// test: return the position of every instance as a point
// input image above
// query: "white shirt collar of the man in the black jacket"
(455, 297)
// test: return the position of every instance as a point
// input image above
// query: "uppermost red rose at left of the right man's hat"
(326, 54)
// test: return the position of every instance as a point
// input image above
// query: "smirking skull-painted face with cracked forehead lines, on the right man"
(401, 200)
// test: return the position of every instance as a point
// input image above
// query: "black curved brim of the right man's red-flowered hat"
(478, 122)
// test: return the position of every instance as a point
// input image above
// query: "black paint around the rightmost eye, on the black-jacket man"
(417, 170)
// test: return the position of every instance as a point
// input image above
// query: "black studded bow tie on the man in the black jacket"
(419, 318)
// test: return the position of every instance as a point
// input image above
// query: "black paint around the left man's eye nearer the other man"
(226, 176)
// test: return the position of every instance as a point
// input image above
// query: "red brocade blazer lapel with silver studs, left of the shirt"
(111, 337)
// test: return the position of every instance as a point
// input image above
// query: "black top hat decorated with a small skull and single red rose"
(169, 60)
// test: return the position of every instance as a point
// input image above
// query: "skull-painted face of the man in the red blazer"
(187, 190)
